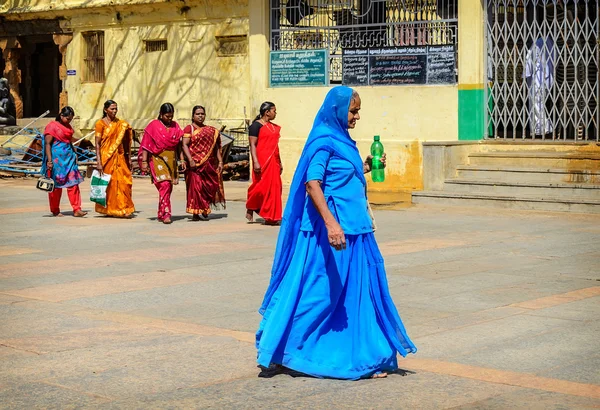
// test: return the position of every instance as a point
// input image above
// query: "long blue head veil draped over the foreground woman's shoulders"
(329, 133)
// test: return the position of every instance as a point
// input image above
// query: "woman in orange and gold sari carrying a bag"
(113, 156)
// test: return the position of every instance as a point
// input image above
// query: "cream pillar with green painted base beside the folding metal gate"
(471, 107)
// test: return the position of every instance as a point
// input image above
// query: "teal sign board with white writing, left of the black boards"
(299, 68)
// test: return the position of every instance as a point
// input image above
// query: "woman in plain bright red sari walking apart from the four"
(264, 195)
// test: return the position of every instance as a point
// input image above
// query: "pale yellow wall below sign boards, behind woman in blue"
(403, 116)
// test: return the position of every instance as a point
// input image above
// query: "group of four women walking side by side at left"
(165, 151)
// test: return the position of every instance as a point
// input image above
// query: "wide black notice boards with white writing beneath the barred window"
(418, 65)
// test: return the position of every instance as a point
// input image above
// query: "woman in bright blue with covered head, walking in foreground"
(328, 311)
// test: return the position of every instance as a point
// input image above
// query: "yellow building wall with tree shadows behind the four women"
(190, 72)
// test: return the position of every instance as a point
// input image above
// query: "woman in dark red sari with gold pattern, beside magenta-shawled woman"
(202, 147)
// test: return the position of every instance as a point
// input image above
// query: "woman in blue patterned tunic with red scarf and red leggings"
(59, 162)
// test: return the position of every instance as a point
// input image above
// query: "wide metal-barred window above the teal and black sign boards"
(339, 24)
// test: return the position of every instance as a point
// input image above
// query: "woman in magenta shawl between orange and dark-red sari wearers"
(159, 152)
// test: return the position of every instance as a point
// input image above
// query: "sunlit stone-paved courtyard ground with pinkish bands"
(108, 313)
